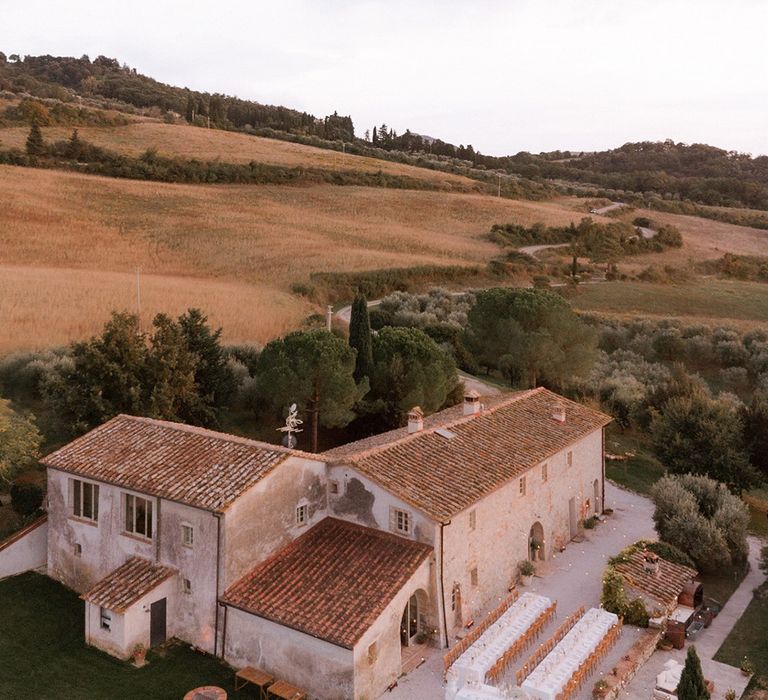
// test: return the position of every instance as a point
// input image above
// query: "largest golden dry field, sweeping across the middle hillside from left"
(70, 244)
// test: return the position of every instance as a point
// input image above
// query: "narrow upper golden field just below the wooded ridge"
(230, 147)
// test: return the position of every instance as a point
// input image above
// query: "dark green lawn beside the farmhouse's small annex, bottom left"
(43, 655)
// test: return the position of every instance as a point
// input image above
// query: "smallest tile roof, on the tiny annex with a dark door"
(127, 584)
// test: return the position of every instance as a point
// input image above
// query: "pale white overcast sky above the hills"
(504, 76)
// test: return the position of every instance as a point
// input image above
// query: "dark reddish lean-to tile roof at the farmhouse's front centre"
(332, 582)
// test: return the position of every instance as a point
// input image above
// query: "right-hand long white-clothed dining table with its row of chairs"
(564, 670)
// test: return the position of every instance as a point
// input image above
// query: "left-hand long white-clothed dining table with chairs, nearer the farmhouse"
(500, 643)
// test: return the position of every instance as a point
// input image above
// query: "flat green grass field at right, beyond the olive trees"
(706, 299)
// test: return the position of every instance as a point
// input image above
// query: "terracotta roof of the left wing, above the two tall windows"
(191, 465)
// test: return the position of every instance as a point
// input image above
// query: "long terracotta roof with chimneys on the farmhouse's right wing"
(444, 475)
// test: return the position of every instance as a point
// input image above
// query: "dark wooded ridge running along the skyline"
(639, 172)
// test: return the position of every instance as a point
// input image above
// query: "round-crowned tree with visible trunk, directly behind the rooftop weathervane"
(315, 370)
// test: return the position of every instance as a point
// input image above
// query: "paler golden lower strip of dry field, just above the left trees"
(42, 307)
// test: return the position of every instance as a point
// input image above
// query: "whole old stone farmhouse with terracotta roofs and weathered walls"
(323, 569)
